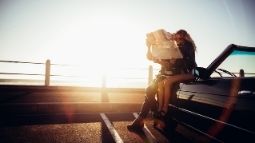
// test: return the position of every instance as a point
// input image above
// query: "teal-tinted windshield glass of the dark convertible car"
(236, 62)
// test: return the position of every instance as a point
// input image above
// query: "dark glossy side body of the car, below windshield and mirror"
(215, 108)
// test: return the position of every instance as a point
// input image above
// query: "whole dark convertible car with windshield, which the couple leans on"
(219, 106)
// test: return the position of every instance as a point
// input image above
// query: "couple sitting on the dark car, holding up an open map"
(172, 71)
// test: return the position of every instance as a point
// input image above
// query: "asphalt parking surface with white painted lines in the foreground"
(81, 128)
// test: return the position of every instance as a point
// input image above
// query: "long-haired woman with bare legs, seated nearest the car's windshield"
(182, 69)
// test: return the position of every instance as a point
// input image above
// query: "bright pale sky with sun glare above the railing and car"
(100, 33)
